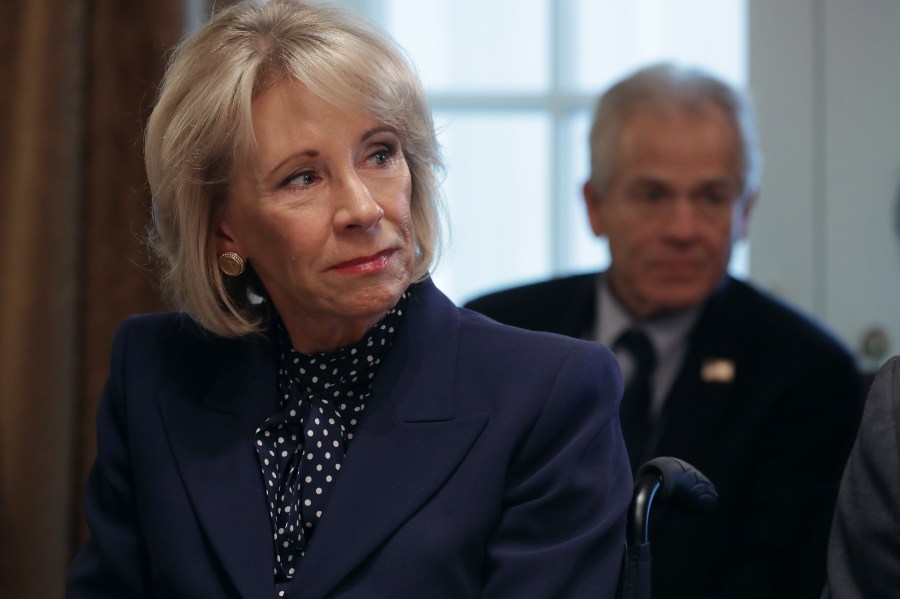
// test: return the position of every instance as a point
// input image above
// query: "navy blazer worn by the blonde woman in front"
(489, 463)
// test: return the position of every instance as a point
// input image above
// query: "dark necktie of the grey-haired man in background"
(635, 410)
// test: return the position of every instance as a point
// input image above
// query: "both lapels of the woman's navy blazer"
(410, 437)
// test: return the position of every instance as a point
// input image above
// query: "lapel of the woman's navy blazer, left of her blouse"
(213, 443)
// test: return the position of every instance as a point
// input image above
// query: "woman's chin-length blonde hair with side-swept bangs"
(201, 125)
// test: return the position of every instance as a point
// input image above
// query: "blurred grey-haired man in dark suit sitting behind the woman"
(758, 397)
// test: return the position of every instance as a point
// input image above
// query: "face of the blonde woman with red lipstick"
(322, 212)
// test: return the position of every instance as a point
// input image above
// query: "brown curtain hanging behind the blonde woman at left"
(78, 79)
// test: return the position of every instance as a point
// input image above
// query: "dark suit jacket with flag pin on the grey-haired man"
(773, 440)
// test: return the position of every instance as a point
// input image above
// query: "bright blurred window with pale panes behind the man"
(512, 84)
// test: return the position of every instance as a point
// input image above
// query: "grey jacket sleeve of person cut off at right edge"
(864, 548)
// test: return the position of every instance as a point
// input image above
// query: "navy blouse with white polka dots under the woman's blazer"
(300, 448)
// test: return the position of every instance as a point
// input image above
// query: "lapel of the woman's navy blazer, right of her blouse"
(408, 444)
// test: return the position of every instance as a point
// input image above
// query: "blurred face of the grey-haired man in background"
(671, 209)
